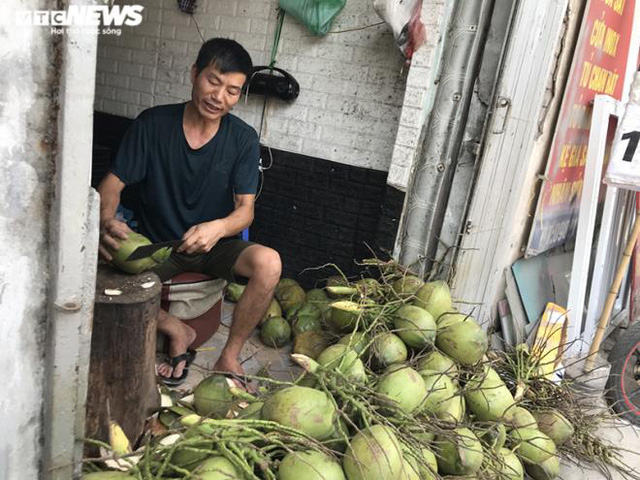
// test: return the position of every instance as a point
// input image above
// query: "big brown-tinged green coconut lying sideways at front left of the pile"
(306, 409)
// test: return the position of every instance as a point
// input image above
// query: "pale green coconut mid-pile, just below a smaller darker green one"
(405, 387)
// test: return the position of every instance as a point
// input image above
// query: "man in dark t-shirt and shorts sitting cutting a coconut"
(196, 166)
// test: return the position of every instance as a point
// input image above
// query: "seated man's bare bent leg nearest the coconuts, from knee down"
(261, 265)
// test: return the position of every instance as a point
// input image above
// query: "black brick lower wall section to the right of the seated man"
(315, 212)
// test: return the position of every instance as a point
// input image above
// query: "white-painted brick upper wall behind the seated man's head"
(352, 84)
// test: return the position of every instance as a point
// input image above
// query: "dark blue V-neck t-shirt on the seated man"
(179, 187)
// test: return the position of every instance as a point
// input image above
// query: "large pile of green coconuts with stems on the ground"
(396, 385)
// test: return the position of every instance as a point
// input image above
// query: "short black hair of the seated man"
(226, 55)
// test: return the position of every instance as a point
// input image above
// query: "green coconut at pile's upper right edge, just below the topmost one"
(465, 342)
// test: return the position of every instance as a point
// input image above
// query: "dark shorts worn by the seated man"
(218, 262)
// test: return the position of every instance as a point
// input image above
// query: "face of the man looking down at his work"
(214, 94)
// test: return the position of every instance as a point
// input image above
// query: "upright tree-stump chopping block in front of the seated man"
(122, 382)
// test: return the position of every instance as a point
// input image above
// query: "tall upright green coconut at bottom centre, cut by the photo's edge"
(374, 454)
